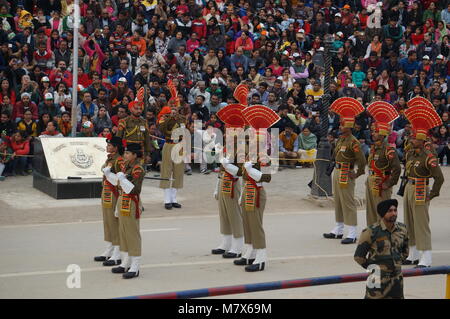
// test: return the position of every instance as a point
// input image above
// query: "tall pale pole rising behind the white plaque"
(76, 25)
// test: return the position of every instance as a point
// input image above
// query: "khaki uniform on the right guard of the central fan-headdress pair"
(252, 205)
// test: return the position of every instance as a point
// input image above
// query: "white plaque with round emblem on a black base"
(74, 157)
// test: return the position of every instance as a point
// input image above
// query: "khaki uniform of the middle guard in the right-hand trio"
(384, 168)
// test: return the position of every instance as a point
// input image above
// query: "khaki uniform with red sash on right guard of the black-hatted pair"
(130, 210)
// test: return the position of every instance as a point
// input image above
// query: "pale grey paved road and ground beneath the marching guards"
(40, 237)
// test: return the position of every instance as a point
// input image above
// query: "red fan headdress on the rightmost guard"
(422, 119)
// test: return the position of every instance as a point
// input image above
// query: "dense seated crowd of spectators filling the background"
(388, 50)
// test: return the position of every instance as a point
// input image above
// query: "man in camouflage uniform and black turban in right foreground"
(382, 248)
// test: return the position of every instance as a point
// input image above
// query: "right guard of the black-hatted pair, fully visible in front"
(129, 211)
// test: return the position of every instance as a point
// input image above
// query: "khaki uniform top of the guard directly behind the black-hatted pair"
(135, 130)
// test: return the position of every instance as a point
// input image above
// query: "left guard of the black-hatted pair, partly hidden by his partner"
(110, 194)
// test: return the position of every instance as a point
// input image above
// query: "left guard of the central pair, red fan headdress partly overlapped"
(228, 189)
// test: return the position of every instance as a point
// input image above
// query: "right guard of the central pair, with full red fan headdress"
(253, 196)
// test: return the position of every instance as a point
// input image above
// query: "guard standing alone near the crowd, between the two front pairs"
(168, 121)
